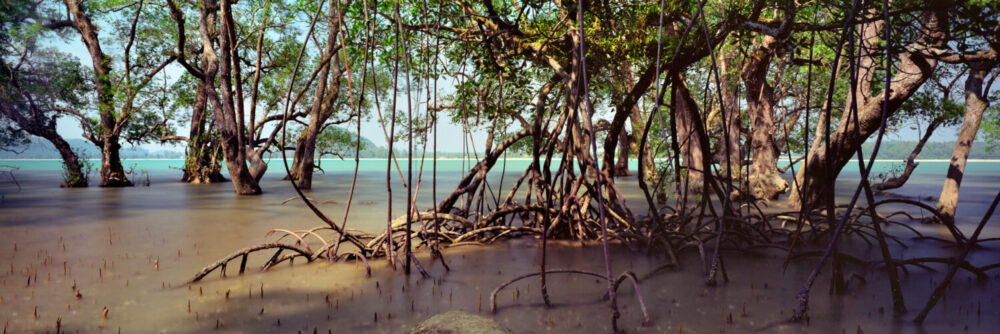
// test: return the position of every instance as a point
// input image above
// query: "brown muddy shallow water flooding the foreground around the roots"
(132, 250)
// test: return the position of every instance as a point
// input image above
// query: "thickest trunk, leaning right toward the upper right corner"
(913, 71)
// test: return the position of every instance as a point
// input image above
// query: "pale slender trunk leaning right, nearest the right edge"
(975, 104)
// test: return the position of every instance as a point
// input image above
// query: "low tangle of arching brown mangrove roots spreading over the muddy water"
(576, 219)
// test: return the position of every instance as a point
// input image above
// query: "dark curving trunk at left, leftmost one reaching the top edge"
(112, 173)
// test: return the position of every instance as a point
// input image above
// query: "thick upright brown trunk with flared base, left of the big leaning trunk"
(763, 179)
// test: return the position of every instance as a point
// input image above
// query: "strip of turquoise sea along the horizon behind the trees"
(275, 166)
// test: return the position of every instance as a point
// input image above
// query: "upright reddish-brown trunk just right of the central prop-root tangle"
(690, 144)
